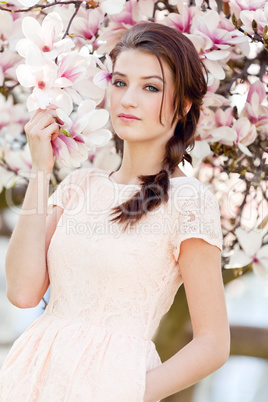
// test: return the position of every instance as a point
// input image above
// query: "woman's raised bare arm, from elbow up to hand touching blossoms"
(26, 270)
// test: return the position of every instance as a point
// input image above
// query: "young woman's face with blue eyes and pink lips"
(137, 90)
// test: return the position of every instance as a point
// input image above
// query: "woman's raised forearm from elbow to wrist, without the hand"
(26, 270)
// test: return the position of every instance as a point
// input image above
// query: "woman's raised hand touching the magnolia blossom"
(40, 130)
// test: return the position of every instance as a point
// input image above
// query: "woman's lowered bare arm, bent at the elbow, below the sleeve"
(200, 267)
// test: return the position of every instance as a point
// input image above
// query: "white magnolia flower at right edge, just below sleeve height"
(252, 252)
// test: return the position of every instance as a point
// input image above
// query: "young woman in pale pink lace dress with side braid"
(116, 246)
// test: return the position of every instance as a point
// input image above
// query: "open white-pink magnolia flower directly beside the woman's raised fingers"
(82, 135)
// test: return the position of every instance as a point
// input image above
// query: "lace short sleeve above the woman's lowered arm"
(198, 216)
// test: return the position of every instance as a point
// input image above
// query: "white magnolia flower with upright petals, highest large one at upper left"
(46, 37)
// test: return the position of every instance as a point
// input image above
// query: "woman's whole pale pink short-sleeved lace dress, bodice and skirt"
(108, 292)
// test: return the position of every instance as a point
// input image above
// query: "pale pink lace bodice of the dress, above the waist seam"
(122, 281)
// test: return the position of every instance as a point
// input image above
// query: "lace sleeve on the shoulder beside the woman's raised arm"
(66, 189)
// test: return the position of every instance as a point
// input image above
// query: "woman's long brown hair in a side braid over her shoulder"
(179, 53)
